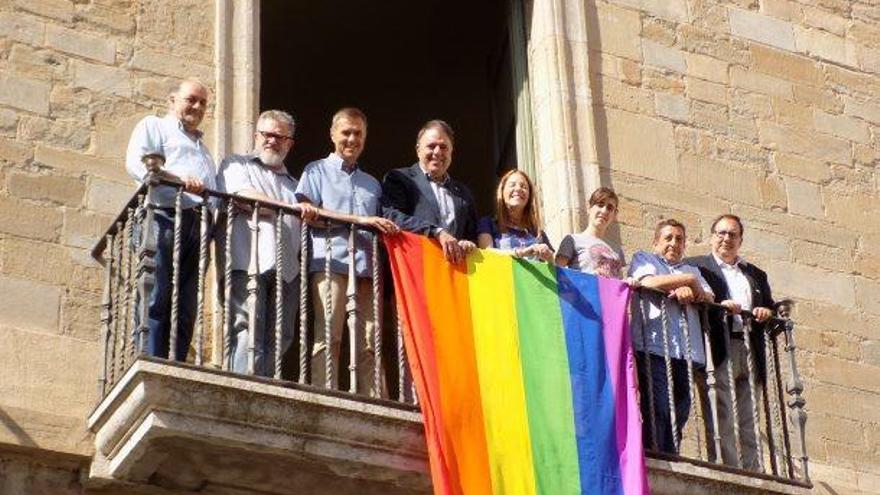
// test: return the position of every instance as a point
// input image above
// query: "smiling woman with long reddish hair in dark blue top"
(516, 226)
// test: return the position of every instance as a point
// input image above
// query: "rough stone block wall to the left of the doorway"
(74, 78)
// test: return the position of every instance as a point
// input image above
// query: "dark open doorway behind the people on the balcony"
(403, 63)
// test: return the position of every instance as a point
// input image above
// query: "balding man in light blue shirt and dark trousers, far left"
(177, 139)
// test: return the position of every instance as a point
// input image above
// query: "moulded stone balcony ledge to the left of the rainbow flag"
(185, 428)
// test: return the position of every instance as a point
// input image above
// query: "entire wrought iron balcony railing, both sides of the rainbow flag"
(128, 250)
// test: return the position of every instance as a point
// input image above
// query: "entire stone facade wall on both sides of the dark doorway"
(688, 108)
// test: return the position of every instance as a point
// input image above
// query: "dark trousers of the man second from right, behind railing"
(662, 419)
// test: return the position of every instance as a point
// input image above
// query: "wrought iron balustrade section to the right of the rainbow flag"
(772, 408)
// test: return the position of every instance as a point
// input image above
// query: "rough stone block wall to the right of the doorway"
(768, 109)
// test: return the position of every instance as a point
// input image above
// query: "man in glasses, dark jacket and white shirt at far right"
(739, 286)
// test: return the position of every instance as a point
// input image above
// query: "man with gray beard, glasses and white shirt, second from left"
(261, 175)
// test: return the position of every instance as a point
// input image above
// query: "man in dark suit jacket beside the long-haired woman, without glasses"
(424, 199)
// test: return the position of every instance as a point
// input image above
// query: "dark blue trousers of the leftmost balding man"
(159, 303)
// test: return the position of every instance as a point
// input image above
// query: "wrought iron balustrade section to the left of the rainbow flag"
(128, 252)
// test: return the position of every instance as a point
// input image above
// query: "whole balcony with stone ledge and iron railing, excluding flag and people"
(196, 426)
